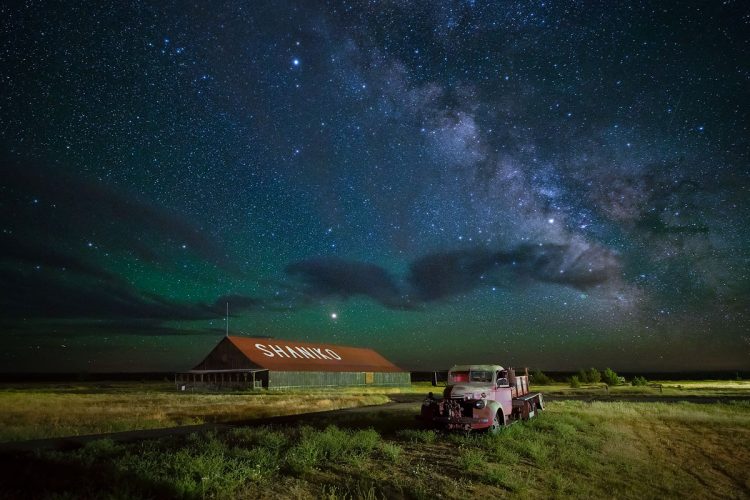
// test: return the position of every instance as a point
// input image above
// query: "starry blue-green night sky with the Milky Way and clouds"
(551, 184)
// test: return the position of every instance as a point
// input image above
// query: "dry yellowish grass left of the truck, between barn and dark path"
(37, 411)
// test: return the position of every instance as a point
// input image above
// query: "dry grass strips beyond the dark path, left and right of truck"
(36, 411)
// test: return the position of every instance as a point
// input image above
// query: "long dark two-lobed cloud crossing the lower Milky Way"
(442, 275)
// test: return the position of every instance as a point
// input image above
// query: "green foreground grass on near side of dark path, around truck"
(618, 449)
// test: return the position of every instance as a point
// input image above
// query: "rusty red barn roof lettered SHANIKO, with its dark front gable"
(290, 355)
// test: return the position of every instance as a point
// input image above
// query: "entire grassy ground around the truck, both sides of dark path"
(574, 449)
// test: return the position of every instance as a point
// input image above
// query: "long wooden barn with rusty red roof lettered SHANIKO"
(241, 362)
